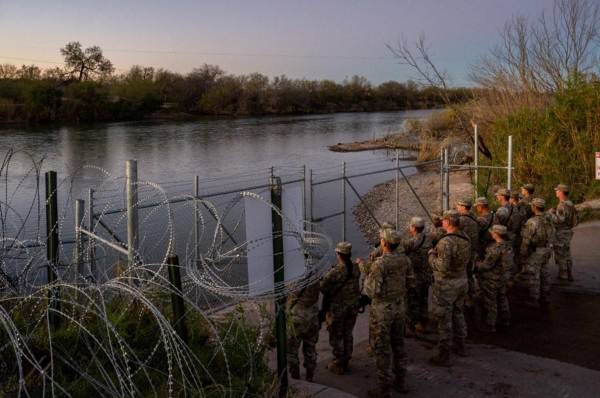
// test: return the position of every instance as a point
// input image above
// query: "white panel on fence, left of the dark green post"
(260, 256)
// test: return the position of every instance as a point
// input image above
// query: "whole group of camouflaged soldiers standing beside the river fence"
(462, 255)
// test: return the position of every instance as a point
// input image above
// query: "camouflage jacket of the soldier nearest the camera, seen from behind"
(390, 276)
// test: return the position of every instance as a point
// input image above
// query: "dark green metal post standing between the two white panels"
(279, 279)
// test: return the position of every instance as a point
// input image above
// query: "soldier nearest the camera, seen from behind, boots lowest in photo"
(386, 285)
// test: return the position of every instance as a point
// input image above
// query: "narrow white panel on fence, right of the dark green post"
(293, 209)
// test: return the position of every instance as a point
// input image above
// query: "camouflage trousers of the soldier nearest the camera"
(386, 335)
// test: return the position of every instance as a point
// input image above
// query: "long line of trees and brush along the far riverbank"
(86, 89)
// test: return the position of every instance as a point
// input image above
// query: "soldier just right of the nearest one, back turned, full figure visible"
(449, 260)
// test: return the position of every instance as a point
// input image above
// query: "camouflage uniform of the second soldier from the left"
(341, 316)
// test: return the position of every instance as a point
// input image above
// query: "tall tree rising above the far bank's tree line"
(85, 64)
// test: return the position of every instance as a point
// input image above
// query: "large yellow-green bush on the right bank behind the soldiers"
(555, 144)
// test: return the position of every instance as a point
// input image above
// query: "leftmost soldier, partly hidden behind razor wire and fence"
(303, 328)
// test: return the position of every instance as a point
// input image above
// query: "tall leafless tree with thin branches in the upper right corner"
(543, 54)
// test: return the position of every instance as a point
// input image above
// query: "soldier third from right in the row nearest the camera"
(492, 276)
